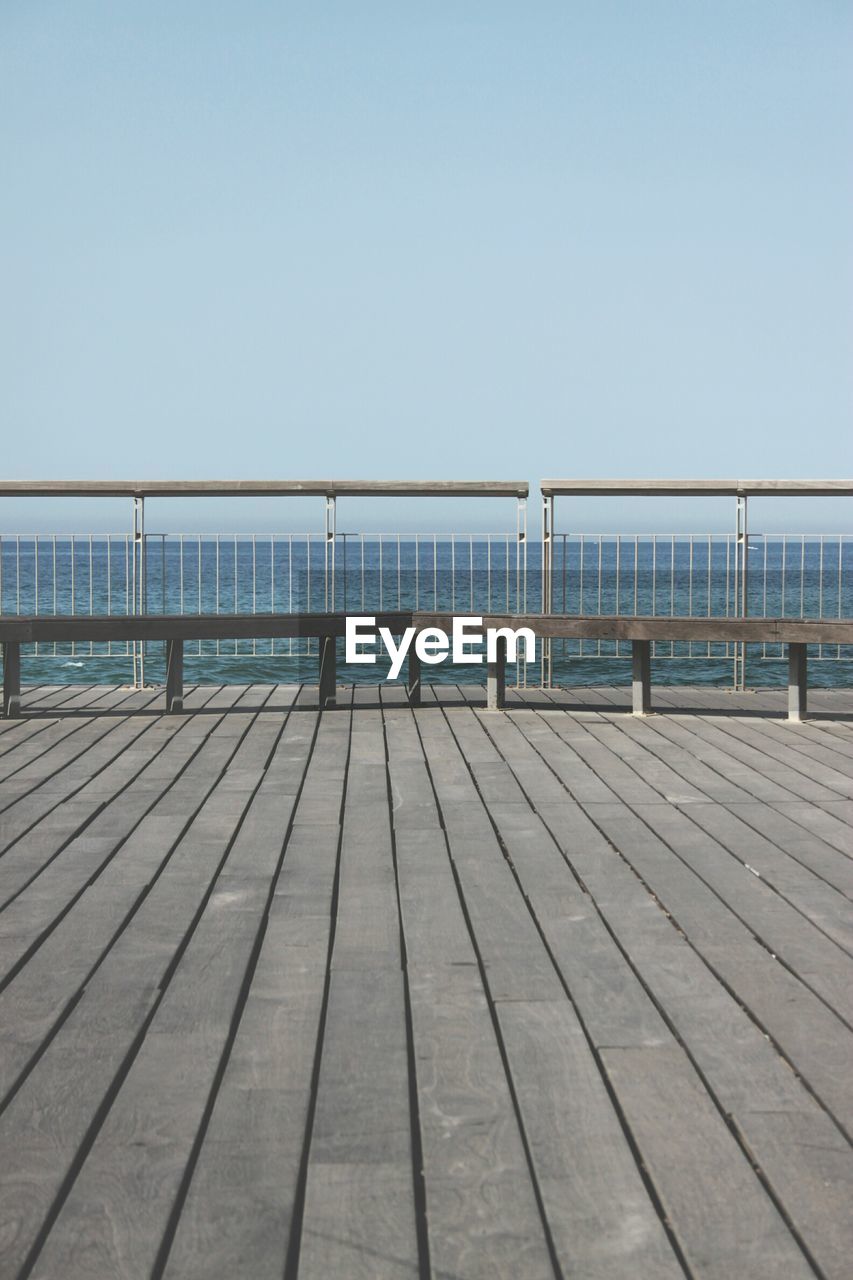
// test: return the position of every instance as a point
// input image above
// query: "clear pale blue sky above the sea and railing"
(426, 241)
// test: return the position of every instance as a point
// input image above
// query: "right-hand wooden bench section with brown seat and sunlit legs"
(642, 632)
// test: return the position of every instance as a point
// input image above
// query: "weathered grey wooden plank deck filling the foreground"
(378, 993)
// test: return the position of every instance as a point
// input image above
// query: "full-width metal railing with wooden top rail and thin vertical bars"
(726, 575)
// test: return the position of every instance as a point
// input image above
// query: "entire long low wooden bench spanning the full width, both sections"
(327, 628)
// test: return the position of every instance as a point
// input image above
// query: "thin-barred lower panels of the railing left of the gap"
(70, 575)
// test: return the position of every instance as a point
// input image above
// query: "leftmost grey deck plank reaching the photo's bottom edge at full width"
(189, 1032)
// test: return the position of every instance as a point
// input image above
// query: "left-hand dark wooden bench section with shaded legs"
(327, 628)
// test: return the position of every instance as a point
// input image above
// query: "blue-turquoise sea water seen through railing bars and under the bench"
(679, 577)
